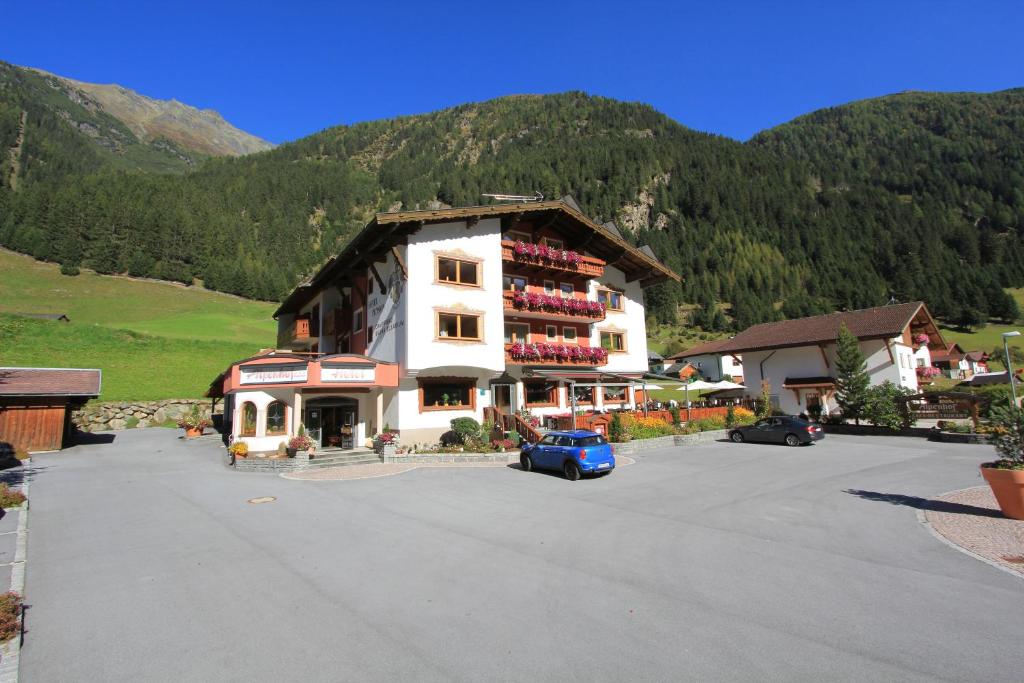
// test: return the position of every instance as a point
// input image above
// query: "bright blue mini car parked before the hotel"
(573, 453)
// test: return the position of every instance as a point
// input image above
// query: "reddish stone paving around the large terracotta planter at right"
(971, 519)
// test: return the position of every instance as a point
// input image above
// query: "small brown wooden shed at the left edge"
(36, 404)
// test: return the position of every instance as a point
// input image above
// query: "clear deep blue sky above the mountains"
(285, 70)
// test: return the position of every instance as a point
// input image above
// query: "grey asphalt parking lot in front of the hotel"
(714, 563)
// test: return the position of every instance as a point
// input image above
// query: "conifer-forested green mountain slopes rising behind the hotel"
(780, 219)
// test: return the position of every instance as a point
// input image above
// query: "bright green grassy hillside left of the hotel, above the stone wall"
(152, 340)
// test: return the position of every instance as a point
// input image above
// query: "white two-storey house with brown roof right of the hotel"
(798, 357)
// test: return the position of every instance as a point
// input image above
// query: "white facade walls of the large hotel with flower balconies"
(402, 325)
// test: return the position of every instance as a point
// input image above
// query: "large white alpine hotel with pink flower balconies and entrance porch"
(431, 316)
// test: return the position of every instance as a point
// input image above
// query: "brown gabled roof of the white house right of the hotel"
(878, 323)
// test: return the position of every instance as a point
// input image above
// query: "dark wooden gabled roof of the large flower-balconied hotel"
(388, 230)
